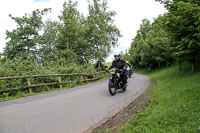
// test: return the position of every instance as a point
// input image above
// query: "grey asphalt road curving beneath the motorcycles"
(75, 110)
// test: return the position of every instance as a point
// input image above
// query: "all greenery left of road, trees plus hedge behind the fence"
(69, 45)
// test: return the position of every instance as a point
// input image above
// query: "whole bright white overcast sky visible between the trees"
(128, 19)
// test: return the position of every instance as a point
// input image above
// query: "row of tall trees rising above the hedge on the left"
(74, 38)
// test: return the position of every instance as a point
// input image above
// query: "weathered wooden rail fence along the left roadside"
(95, 76)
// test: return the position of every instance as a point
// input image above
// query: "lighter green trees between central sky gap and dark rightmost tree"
(150, 47)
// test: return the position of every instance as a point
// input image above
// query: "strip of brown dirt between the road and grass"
(124, 117)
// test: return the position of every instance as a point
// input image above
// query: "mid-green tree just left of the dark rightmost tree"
(159, 41)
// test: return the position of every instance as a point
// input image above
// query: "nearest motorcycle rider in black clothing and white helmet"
(120, 64)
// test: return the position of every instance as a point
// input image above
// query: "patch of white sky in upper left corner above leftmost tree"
(18, 8)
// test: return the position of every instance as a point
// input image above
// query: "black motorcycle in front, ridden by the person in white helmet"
(115, 83)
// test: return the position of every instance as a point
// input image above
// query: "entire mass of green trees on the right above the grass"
(171, 38)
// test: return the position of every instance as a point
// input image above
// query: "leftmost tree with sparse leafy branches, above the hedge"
(23, 41)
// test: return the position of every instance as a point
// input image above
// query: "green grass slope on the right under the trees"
(174, 106)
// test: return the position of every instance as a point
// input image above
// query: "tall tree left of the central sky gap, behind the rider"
(101, 32)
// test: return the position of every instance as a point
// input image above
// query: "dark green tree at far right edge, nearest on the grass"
(184, 25)
